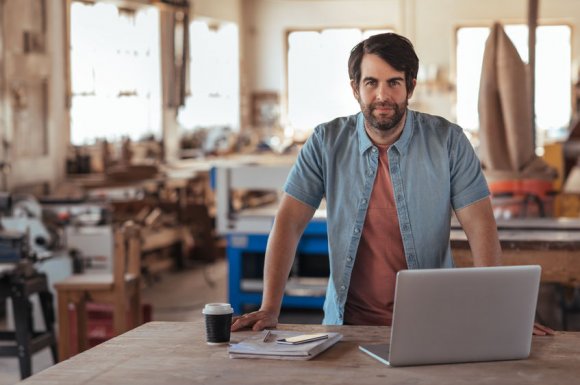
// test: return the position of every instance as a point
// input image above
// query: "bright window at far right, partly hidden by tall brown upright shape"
(553, 75)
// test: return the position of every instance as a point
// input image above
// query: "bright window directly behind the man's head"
(318, 83)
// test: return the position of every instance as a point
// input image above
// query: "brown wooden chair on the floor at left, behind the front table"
(121, 289)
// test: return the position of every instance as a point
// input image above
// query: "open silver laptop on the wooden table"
(457, 315)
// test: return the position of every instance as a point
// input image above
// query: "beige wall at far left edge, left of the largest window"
(32, 93)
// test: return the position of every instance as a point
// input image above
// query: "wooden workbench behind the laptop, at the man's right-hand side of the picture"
(552, 243)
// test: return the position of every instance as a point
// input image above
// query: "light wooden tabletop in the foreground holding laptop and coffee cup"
(176, 353)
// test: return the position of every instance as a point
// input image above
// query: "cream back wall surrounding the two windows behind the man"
(430, 24)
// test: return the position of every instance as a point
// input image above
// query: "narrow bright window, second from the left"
(214, 99)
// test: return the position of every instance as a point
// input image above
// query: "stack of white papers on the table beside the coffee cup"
(256, 347)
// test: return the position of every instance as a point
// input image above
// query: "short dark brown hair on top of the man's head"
(395, 49)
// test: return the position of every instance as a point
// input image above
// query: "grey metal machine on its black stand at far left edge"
(23, 241)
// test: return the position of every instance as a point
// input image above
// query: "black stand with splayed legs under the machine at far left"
(19, 288)
